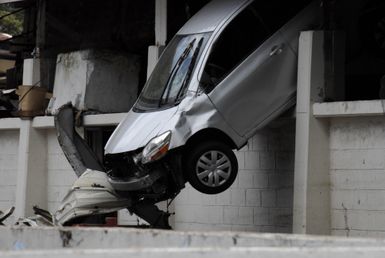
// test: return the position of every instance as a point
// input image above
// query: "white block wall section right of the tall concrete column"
(357, 160)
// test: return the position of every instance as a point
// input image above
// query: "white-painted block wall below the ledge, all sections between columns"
(261, 198)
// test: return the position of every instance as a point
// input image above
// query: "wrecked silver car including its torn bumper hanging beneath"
(229, 71)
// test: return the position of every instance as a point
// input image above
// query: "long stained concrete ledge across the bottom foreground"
(24, 238)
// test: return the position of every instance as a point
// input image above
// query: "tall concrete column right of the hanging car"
(311, 207)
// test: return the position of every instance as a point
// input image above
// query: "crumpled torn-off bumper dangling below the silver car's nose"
(92, 193)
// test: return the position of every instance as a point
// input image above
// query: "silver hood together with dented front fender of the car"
(194, 113)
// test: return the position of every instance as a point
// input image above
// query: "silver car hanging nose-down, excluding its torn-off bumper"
(228, 72)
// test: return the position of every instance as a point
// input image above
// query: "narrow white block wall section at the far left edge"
(9, 143)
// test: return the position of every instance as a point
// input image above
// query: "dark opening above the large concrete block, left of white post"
(119, 25)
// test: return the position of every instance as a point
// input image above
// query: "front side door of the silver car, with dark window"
(250, 75)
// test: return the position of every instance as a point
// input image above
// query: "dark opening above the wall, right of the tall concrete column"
(363, 22)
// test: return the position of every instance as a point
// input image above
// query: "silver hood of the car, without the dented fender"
(137, 129)
